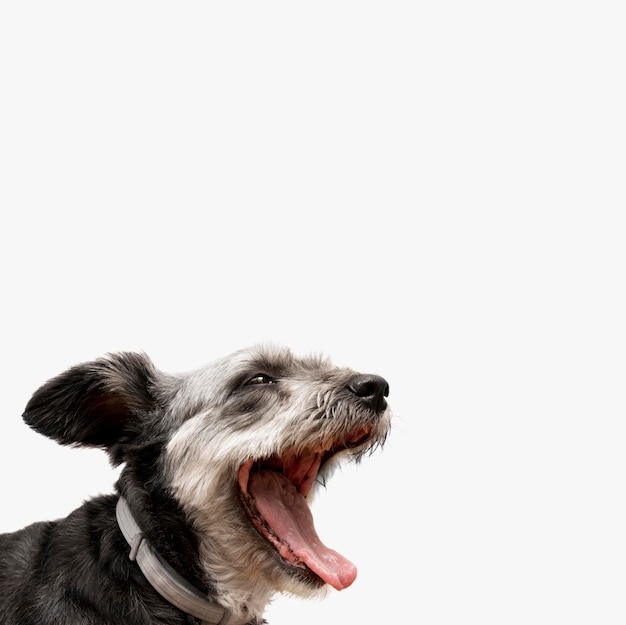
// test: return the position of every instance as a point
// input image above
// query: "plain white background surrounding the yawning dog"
(432, 191)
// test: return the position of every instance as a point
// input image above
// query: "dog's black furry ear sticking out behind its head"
(97, 404)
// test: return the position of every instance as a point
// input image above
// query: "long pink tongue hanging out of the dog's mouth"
(288, 514)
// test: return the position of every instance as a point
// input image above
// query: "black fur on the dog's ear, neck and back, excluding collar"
(76, 570)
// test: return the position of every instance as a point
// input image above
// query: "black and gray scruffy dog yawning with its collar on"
(210, 517)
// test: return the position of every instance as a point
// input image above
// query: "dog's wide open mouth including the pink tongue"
(273, 493)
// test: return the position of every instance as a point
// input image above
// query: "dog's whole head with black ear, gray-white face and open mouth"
(241, 445)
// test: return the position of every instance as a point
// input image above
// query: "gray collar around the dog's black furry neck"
(164, 579)
